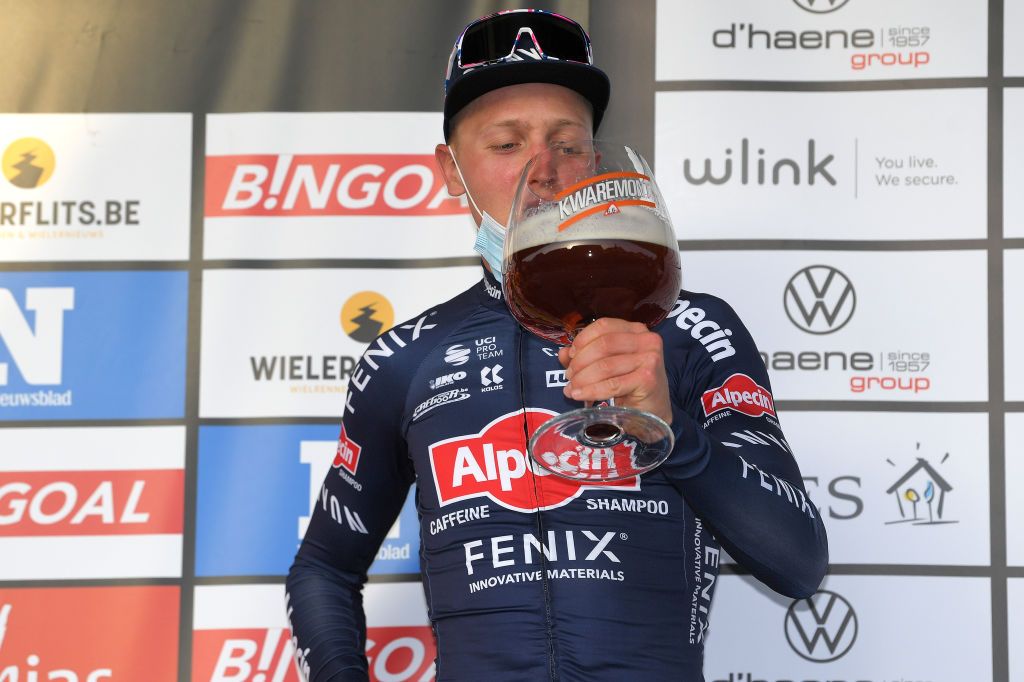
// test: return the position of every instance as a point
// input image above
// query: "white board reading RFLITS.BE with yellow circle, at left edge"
(96, 187)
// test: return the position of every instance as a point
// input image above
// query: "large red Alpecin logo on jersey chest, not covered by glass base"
(493, 464)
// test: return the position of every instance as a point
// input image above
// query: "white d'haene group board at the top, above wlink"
(808, 40)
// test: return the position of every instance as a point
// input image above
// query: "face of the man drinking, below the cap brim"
(499, 133)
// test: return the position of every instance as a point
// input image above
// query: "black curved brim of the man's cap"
(589, 81)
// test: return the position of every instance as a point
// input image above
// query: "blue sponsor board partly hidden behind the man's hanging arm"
(257, 488)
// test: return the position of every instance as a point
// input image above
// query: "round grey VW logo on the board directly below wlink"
(820, 300)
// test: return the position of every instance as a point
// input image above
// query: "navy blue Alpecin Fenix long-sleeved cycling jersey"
(531, 577)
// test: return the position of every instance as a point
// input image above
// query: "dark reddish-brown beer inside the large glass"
(556, 290)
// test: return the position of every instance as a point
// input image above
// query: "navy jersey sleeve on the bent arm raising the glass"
(732, 461)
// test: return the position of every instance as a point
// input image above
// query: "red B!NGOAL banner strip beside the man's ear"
(327, 185)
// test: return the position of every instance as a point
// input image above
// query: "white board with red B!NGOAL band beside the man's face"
(329, 186)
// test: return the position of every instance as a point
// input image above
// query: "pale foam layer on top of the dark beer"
(632, 223)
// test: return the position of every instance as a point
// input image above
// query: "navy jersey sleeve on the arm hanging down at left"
(359, 502)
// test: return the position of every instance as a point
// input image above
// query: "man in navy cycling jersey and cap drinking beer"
(529, 577)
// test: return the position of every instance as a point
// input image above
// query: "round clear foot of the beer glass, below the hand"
(602, 444)
